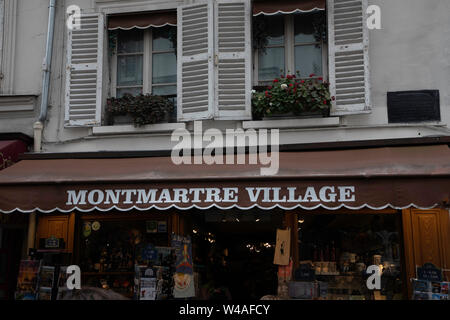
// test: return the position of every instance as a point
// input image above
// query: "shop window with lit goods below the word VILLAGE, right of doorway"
(341, 247)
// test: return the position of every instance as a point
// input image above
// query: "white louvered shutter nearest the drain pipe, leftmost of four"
(84, 72)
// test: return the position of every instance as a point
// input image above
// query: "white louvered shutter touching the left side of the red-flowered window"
(233, 60)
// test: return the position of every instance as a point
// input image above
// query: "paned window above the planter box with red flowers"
(292, 47)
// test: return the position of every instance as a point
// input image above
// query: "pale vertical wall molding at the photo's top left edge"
(9, 46)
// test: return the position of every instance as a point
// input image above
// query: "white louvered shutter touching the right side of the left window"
(195, 56)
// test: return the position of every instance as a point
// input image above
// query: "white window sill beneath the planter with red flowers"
(292, 123)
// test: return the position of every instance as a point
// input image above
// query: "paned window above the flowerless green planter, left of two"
(145, 62)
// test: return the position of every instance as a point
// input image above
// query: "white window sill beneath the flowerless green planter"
(131, 129)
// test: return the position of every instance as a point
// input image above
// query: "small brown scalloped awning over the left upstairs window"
(142, 20)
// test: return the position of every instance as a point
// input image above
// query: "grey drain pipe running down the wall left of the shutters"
(39, 125)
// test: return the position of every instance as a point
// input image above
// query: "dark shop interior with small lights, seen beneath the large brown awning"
(233, 253)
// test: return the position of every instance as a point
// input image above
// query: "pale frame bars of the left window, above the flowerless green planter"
(147, 73)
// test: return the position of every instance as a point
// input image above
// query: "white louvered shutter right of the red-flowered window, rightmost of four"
(348, 56)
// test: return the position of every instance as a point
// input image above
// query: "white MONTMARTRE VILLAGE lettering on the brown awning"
(207, 196)
